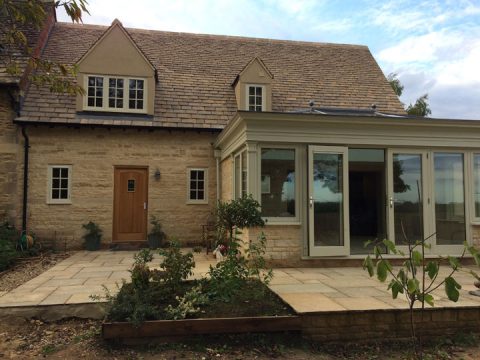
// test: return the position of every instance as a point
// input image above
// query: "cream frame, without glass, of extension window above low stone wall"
(287, 220)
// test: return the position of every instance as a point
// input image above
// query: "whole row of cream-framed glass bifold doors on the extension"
(425, 198)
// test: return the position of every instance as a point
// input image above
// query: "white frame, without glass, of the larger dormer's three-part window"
(105, 97)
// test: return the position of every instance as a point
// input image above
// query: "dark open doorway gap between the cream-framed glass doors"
(367, 198)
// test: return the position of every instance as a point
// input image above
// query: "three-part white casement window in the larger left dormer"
(115, 94)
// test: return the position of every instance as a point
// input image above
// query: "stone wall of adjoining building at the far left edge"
(8, 158)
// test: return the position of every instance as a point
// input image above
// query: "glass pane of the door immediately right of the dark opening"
(408, 199)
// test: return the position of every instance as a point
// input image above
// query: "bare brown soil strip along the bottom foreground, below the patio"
(71, 339)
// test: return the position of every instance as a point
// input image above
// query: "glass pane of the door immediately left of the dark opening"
(328, 199)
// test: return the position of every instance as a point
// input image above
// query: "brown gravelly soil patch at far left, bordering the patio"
(27, 268)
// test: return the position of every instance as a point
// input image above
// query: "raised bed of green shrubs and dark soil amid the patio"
(234, 287)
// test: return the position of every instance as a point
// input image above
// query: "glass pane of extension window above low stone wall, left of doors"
(278, 182)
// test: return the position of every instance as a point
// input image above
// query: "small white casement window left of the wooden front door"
(59, 184)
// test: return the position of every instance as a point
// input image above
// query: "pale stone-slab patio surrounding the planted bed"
(73, 280)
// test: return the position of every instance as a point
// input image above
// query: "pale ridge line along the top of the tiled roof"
(217, 36)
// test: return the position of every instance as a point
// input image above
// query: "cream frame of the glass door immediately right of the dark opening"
(426, 195)
